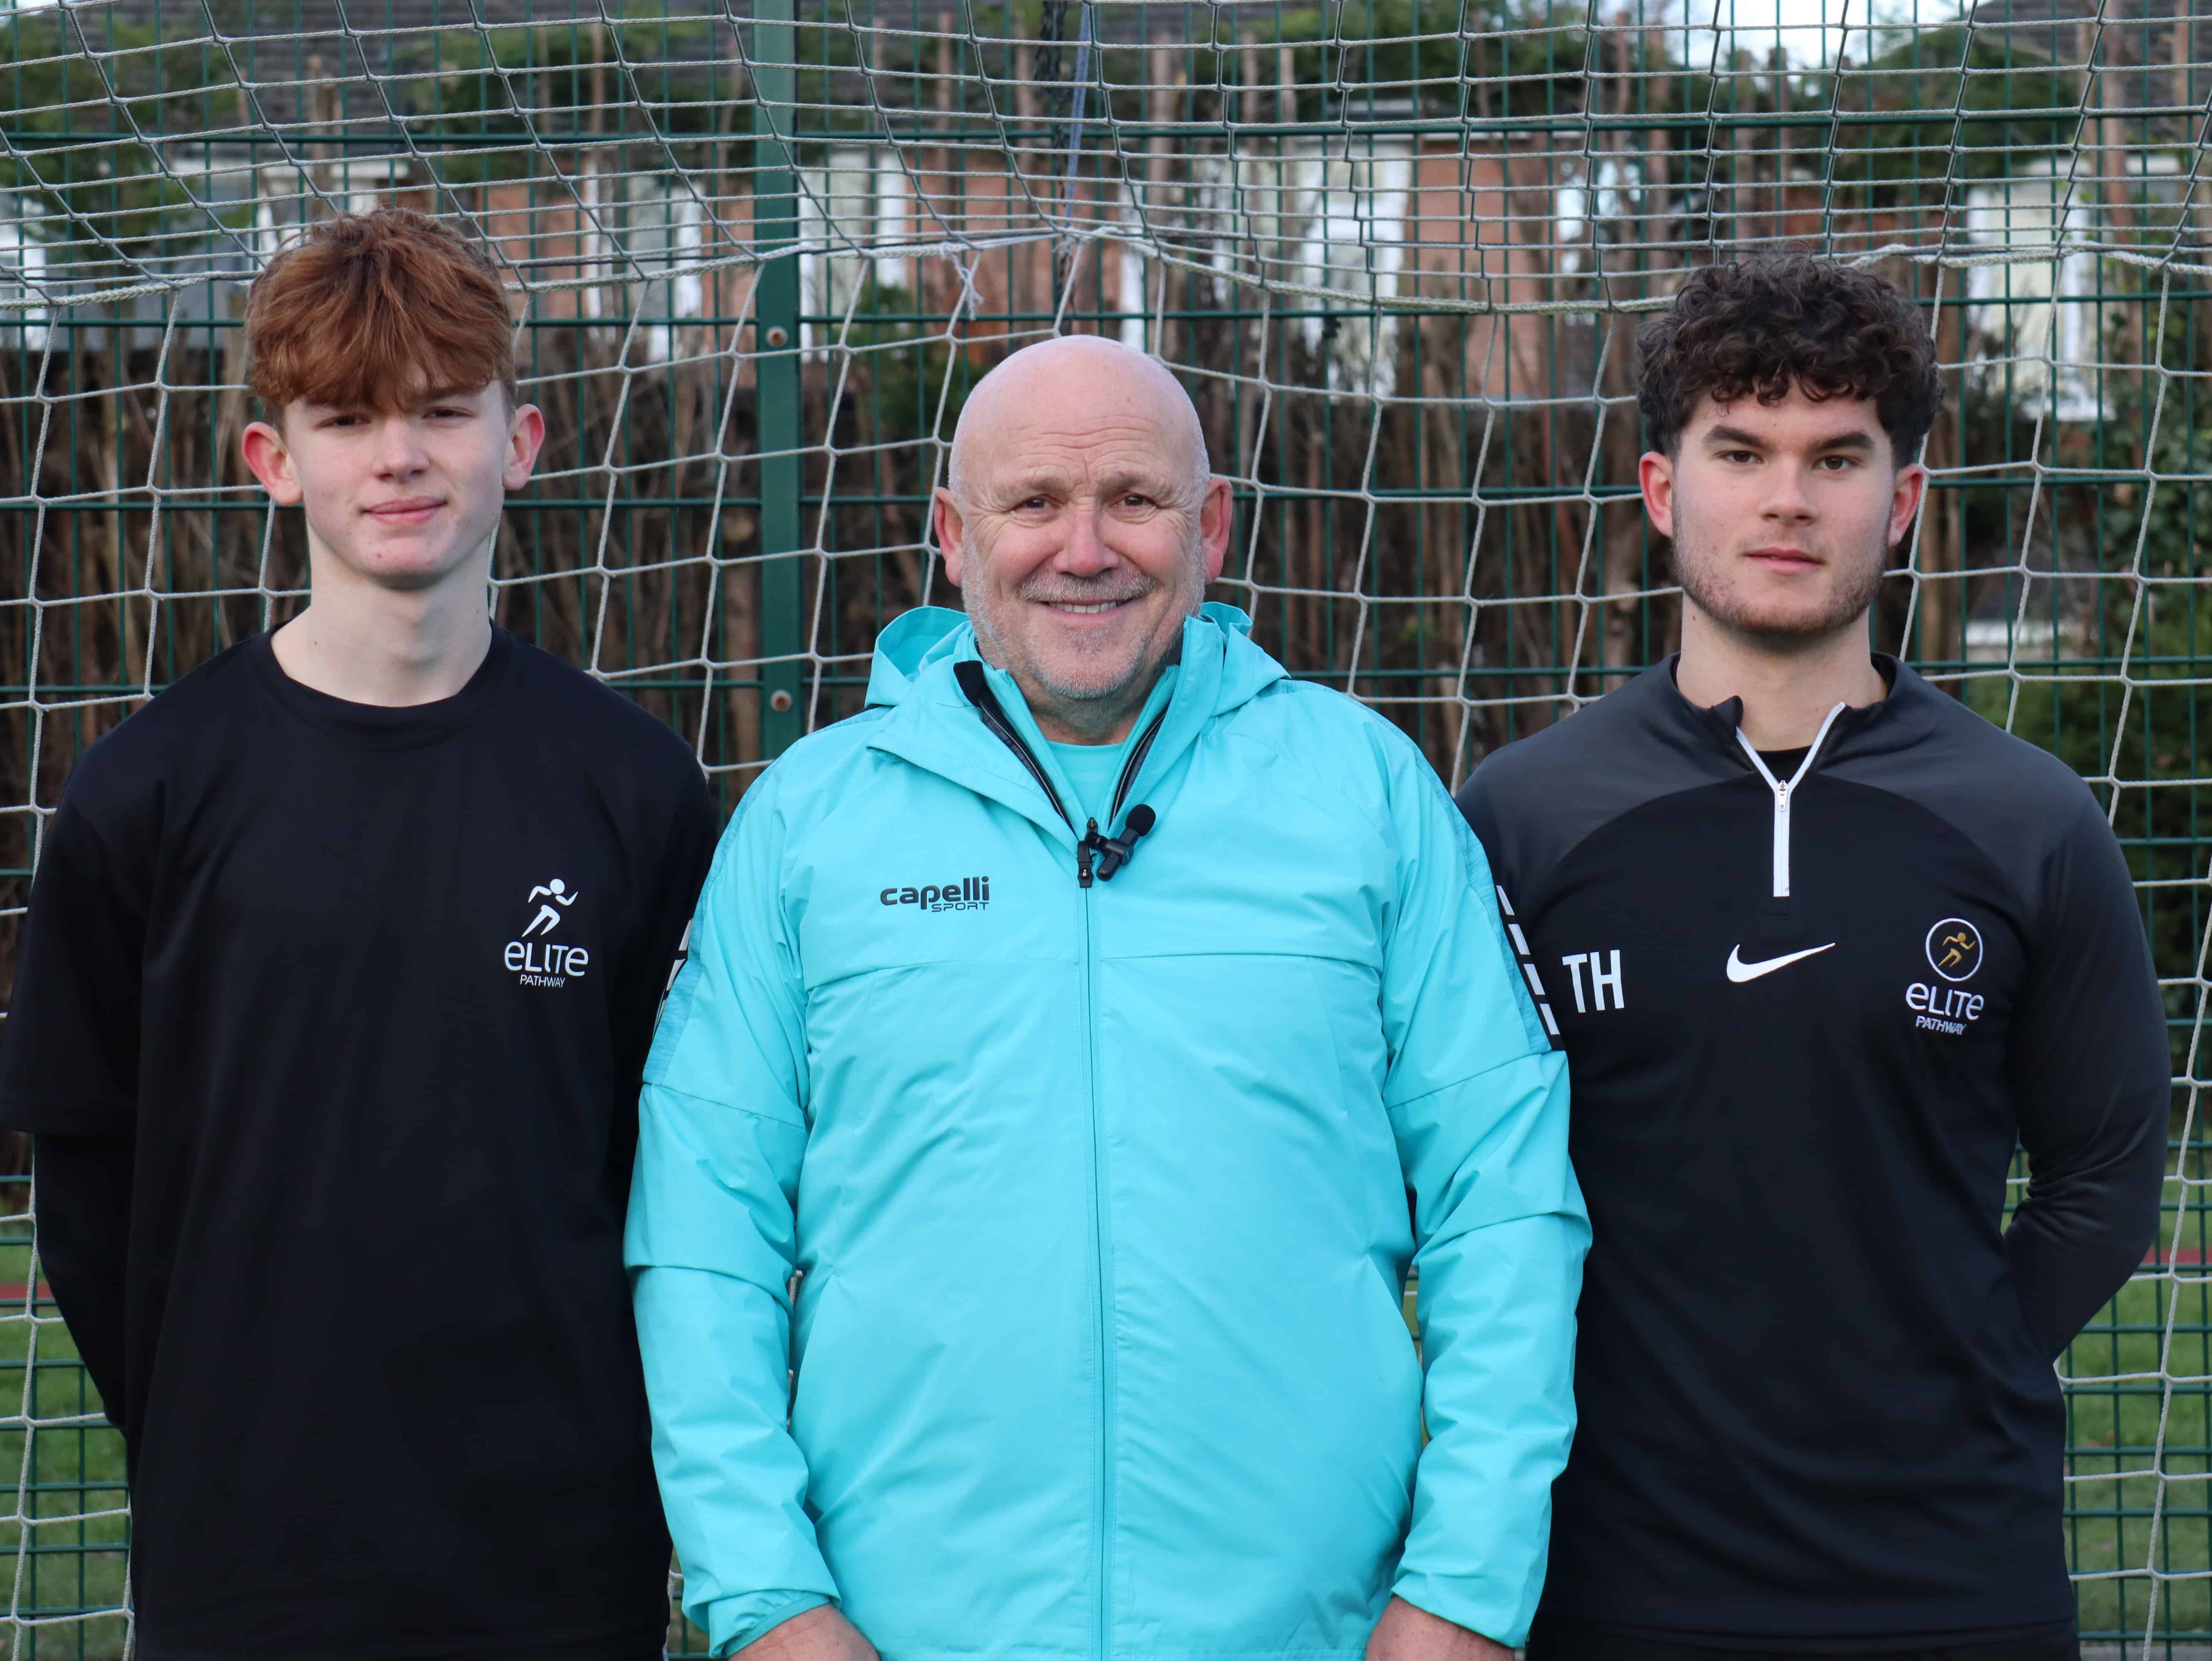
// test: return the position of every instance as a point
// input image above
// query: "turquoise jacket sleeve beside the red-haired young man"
(711, 1244)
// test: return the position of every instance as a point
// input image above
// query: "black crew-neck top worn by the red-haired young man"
(359, 999)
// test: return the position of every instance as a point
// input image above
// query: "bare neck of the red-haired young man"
(393, 647)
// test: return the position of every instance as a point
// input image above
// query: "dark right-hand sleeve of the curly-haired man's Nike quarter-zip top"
(2094, 1083)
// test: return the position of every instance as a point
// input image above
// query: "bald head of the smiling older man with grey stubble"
(1083, 530)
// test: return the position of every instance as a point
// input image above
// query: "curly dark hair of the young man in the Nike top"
(1777, 322)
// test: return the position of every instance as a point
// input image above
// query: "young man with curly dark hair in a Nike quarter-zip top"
(1822, 948)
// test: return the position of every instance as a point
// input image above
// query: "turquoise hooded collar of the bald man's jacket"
(937, 727)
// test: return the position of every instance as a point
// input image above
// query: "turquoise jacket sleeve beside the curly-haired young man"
(1479, 1105)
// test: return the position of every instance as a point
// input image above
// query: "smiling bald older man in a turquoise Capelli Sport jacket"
(1021, 1215)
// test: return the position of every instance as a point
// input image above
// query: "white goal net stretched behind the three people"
(1397, 251)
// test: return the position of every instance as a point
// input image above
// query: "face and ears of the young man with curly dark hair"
(1782, 514)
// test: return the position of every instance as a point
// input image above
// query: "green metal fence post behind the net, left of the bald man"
(775, 339)
